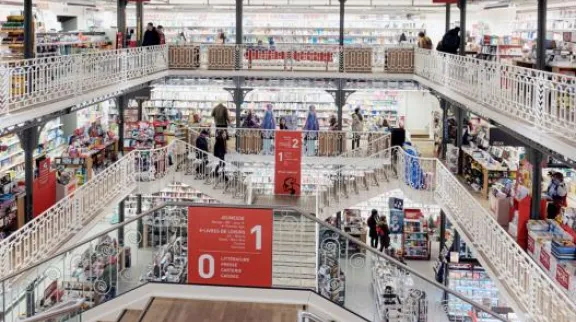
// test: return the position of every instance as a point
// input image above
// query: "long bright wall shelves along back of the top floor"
(296, 28)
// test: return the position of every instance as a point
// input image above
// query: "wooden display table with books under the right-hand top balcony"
(491, 171)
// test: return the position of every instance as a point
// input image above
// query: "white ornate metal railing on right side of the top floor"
(542, 99)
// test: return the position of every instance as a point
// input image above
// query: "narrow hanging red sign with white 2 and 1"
(288, 163)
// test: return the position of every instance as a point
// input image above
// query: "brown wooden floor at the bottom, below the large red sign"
(173, 310)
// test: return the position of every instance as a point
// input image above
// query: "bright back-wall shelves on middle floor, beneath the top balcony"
(180, 103)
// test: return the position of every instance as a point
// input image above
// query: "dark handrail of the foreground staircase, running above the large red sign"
(301, 212)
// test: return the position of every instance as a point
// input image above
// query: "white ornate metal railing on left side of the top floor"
(24, 83)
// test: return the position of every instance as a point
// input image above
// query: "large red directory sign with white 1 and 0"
(230, 246)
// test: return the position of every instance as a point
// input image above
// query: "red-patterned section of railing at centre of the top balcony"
(287, 56)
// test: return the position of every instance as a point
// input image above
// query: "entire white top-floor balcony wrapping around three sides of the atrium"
(538, 105)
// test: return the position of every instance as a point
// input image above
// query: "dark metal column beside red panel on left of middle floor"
(29, 142)
